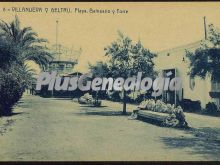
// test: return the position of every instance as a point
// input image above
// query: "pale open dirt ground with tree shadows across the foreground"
(60, 129)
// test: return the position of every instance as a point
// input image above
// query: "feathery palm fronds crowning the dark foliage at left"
(28, 45)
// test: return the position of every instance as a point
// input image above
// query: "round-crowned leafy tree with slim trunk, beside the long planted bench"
(127, 59)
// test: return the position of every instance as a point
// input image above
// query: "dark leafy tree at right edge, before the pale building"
(205, 61)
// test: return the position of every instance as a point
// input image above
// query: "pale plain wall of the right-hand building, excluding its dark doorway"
(175, 58)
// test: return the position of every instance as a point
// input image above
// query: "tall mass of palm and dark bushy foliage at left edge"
(18, 45)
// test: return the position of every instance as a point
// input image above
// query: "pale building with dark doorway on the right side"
(175, 60)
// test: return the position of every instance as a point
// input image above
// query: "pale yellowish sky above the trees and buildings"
(159, 25)
